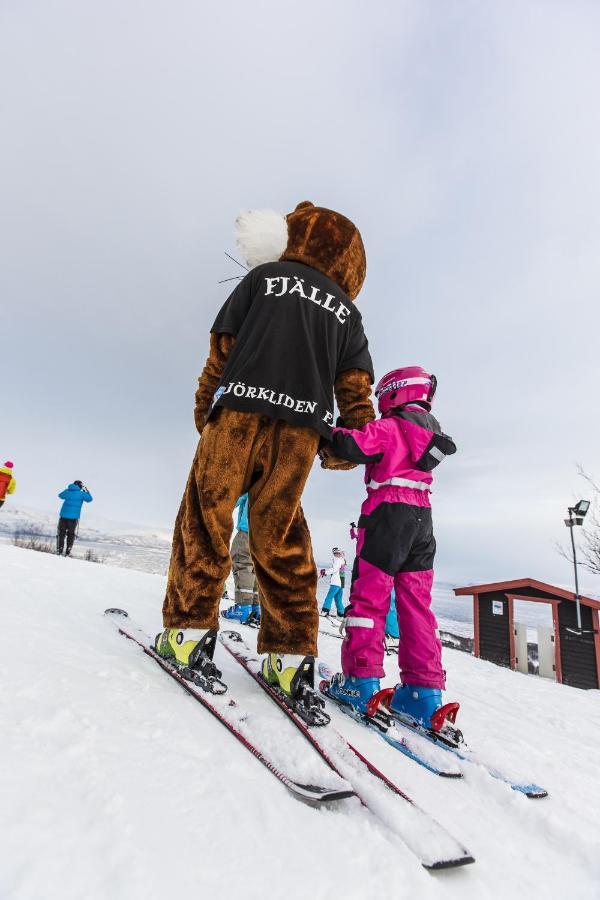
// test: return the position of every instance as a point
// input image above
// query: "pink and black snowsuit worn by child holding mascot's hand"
(395, 545)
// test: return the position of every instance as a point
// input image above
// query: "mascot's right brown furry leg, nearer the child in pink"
(280, 541)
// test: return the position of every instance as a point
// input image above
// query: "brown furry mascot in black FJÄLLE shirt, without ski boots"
(284, 342)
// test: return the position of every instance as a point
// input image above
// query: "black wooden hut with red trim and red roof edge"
(577, 656)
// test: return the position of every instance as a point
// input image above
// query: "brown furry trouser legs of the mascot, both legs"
(271, 460)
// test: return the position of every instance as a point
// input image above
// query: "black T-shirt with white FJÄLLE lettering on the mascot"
(295, 331)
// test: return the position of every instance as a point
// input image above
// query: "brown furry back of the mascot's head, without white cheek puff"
(329, 242)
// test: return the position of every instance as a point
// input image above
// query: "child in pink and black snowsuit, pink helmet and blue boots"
(395, 548)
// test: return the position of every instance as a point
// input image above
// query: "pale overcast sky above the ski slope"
(462, 138)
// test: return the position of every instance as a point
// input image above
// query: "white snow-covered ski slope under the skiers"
(116, 786)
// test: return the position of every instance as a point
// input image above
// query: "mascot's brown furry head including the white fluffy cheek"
(314, 235)
